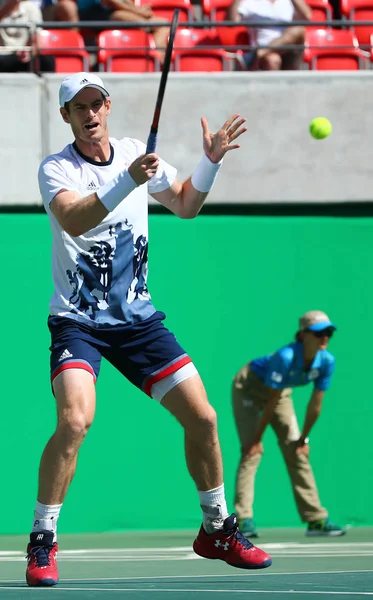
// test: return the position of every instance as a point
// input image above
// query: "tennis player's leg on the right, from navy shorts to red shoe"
(152, 359)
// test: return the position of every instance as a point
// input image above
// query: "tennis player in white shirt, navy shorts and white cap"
(95, 193)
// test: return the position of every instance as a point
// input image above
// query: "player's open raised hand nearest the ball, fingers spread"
(217, 144)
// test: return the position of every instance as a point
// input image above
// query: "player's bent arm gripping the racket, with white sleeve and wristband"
(78, 214)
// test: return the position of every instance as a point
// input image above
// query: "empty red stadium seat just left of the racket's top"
(127, 50)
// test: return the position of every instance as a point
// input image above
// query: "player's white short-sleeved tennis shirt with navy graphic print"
(100, 278)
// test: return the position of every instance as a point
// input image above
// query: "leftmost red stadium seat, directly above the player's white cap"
(67, 47)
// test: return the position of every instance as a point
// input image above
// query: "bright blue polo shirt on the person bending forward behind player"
(285, 368)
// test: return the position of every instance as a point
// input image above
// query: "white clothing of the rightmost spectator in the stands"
(265, 10)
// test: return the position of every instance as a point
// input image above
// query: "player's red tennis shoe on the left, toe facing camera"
(41, 555)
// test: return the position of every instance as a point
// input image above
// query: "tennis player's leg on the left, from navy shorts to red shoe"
(75, 364)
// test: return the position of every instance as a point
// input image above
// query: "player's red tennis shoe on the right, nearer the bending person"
(231, 546)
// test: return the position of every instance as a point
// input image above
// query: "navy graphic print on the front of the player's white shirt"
(110, 273)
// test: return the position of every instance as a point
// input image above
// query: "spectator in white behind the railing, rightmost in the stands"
(268, 56)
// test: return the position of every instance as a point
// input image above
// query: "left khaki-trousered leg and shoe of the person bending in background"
(246, 411)
